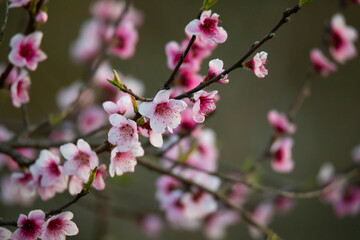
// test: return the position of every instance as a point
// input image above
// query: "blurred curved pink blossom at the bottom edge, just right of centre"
(217, 222)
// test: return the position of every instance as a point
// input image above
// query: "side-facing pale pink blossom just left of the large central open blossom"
(123, 106)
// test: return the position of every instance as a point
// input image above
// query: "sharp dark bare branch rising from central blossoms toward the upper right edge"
(239, 64)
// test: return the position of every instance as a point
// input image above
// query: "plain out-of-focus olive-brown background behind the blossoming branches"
(328, 122)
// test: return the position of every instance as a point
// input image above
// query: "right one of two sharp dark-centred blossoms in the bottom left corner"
(59, 226)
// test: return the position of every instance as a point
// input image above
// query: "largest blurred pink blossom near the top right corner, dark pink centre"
(342, 39)
